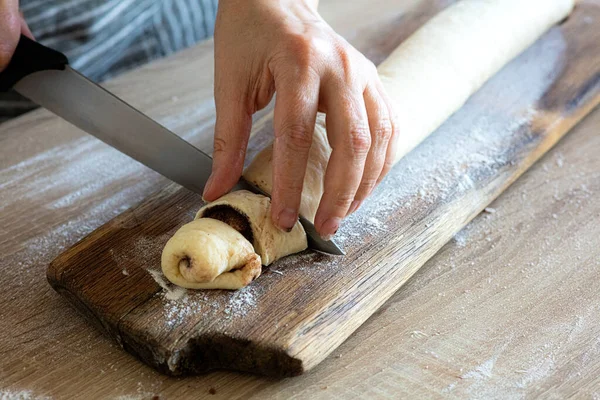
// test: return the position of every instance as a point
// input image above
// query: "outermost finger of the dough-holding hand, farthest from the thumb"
(380, 127)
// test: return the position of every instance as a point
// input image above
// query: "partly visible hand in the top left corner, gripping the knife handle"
(12, 24)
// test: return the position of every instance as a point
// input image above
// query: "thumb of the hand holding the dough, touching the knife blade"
(232, 130)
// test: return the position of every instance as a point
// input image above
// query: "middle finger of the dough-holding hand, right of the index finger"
(350, 139)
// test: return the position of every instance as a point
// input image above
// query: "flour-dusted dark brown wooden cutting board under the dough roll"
(305, 305)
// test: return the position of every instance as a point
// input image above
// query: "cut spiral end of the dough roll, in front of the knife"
(224, 246)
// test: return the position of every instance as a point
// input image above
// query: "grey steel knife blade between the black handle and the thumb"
(96, 111)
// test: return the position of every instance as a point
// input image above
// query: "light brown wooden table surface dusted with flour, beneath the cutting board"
(510, 308)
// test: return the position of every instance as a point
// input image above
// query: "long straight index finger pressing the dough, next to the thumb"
(294, 122)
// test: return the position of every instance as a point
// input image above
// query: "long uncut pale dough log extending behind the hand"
(434, 72)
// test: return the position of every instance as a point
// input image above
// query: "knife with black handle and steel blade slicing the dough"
(44, 76)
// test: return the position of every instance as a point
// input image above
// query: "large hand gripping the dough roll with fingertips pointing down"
(284, 46)
